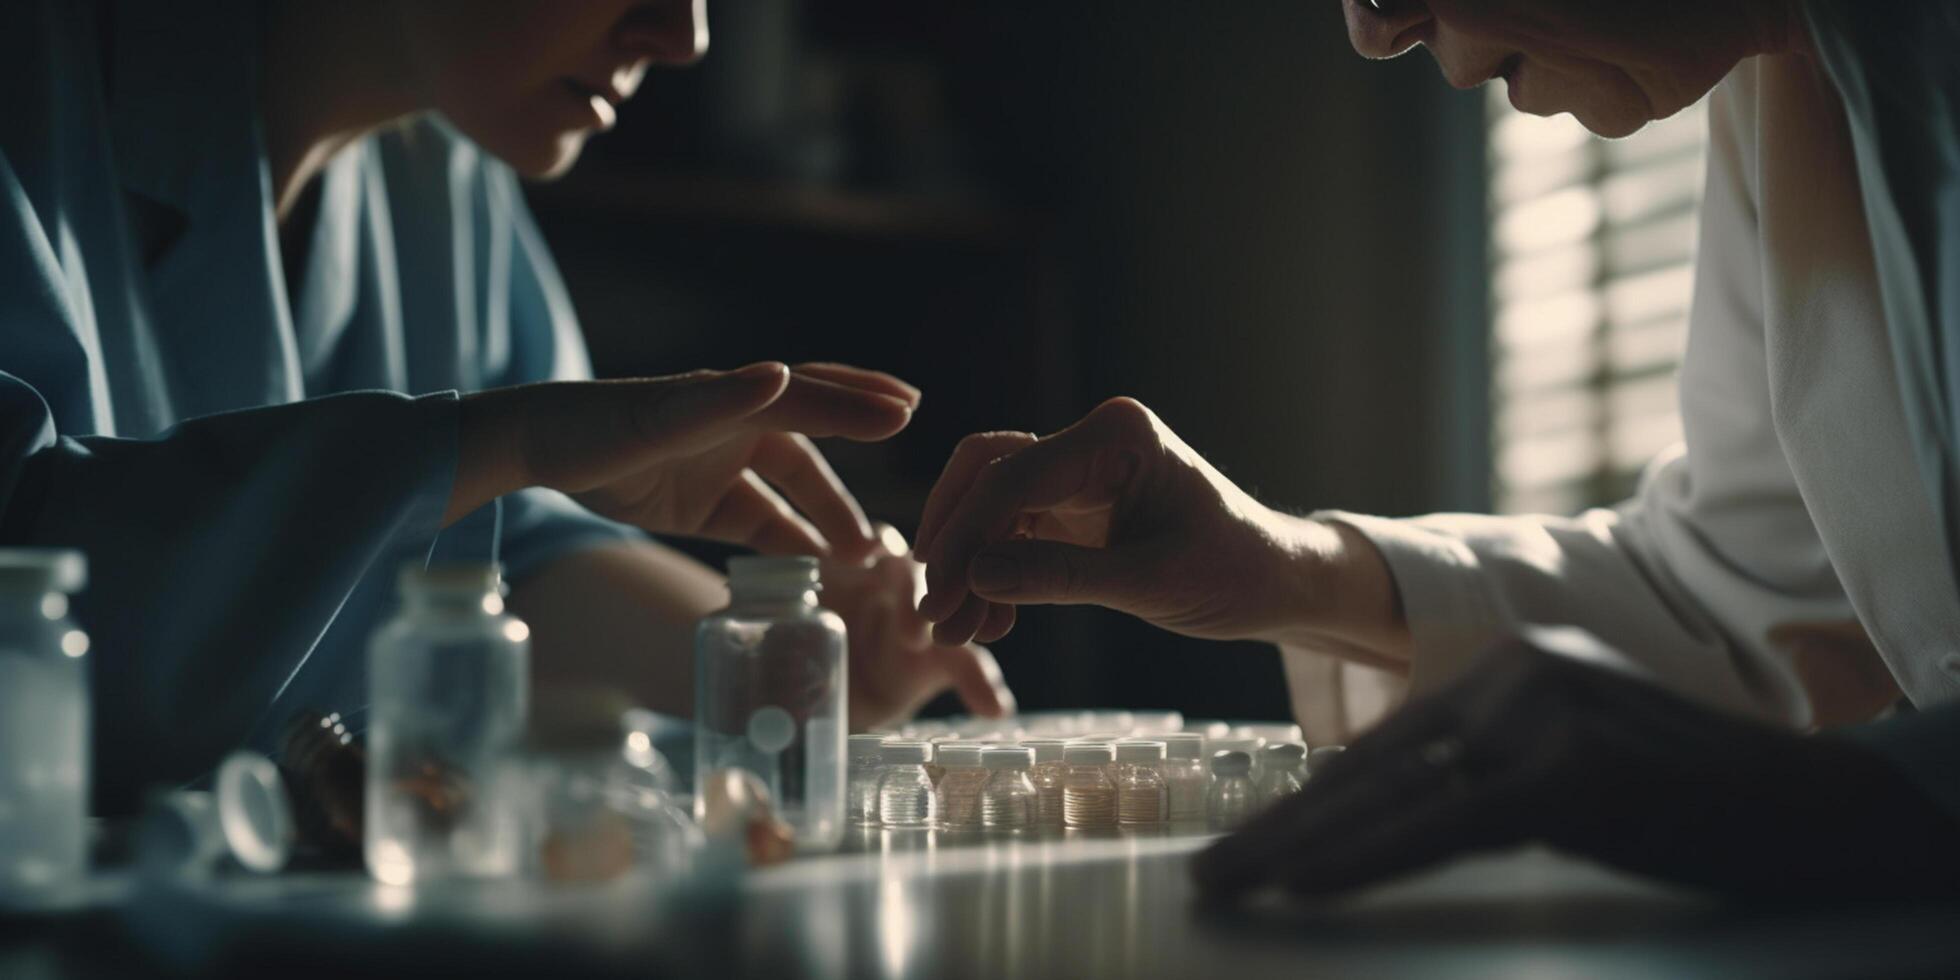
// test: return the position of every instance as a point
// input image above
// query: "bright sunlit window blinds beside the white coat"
(1592, 250)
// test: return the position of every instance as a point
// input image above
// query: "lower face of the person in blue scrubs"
(532, 79)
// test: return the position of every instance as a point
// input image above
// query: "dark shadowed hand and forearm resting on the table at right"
(1547, 748)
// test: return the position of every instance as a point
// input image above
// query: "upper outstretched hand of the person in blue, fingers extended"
(712, 454)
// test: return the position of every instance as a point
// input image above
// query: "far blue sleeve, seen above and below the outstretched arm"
(546, 344)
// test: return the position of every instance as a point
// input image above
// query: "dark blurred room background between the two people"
(1030, 207)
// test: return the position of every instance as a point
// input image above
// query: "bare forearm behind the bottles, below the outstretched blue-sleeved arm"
(620, 616)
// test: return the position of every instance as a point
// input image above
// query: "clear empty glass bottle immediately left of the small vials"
(769, 695)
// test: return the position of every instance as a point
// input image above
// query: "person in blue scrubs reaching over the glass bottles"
(252, 254)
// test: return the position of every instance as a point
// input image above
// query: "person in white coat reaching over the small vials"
(1788, 569)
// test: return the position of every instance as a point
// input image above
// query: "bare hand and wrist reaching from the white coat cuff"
(1116, 511)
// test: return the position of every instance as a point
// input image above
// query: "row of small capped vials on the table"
(1091, 783)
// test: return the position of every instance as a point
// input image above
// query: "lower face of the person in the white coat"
(1612, 64)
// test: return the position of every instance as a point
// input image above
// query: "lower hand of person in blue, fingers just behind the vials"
(895, 663)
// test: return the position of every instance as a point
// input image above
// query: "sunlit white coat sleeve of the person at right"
(1685, 579)
